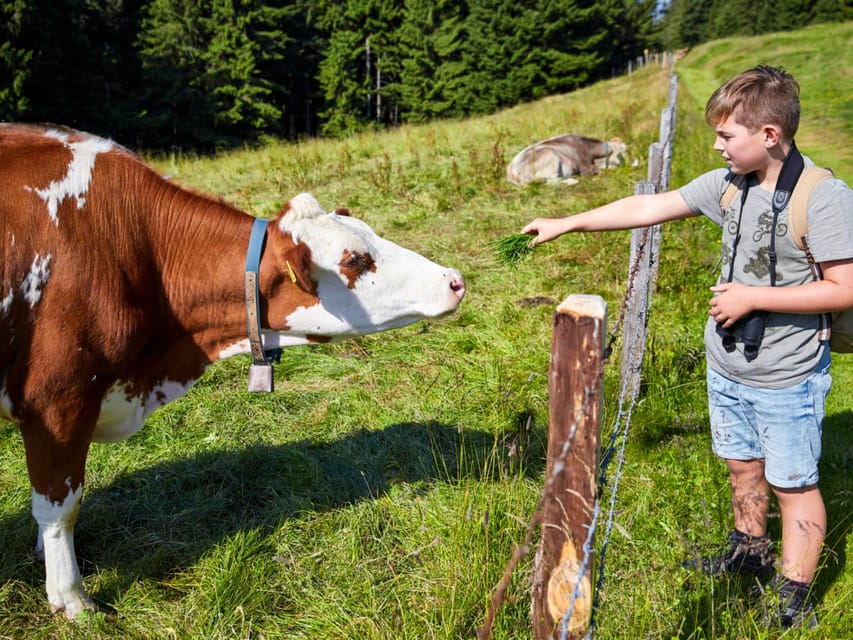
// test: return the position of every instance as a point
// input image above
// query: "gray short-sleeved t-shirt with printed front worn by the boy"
(790, 350)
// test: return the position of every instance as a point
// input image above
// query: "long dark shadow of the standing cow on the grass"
(153, 521)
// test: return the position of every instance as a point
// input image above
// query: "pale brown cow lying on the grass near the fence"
(558, 159)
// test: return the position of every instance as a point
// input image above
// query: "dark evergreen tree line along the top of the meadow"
(208, 73)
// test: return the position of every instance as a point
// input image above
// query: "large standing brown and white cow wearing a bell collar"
(118, 288)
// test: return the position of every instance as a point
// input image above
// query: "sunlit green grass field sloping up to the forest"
(380, 492)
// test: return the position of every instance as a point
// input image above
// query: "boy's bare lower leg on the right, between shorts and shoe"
(803, 531)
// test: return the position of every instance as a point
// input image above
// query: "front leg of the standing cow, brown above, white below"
(56, 474)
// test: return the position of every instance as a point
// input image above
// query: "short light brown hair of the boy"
(761, 95)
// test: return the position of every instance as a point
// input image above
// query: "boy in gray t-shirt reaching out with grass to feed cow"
(766, 397)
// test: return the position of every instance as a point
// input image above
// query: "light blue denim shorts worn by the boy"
(780, 426)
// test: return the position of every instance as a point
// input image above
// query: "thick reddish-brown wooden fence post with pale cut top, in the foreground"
(562, 580)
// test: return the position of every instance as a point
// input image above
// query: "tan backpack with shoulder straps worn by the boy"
(841, 332)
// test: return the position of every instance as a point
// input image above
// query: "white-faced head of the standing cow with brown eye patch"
(357, 282)
